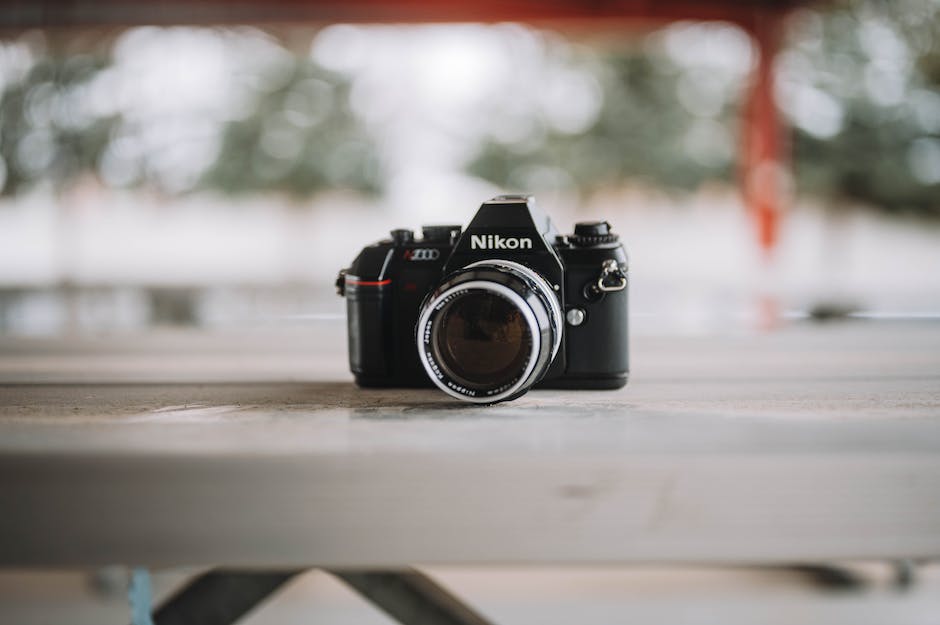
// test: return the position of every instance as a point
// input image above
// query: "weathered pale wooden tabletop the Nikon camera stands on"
(182, 448)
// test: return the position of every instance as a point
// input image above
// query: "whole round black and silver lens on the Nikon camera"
(489, 331)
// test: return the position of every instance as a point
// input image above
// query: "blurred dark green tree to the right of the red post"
(864, 97)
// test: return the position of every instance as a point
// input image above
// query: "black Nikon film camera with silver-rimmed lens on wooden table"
(489, 312)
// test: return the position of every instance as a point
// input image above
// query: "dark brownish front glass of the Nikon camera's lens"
(483, 340)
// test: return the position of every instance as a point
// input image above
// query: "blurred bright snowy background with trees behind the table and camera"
(220, 176)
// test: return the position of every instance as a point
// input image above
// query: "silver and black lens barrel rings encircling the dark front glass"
(520, 287)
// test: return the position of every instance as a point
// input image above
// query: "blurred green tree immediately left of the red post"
(641, 132)
